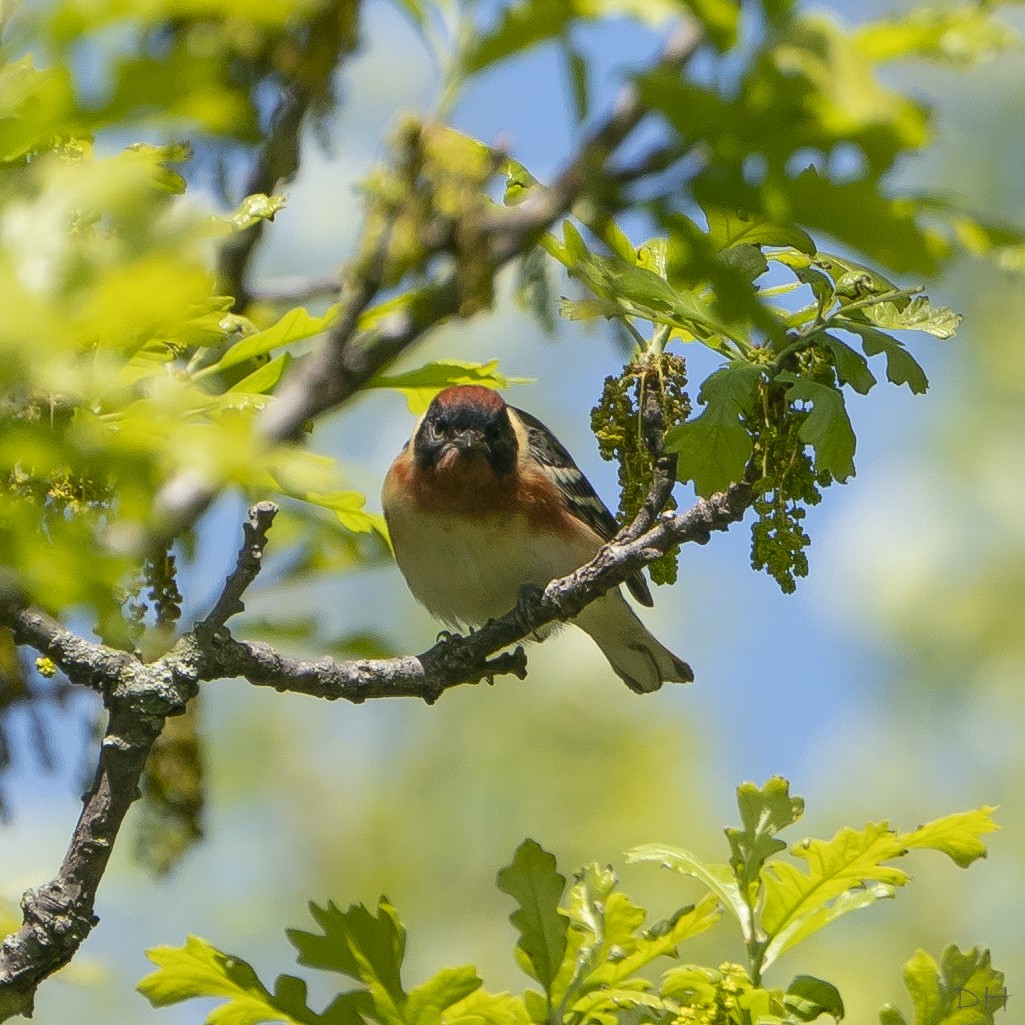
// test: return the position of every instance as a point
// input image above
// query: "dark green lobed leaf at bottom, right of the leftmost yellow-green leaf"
(365, 948)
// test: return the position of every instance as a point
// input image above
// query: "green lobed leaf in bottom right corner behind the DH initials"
(963, 990)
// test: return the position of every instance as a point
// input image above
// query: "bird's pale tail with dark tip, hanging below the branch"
(641, 662)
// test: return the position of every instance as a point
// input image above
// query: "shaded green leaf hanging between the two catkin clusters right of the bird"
(715, 447)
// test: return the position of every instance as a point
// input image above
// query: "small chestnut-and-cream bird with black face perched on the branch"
(482, 501)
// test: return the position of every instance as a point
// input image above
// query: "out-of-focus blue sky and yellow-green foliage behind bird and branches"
(888, 687)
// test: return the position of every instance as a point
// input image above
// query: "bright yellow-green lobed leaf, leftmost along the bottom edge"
(199, 970)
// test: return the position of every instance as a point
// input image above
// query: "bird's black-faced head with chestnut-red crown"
(466, 424)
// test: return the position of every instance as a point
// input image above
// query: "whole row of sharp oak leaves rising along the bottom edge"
(585, 946)
